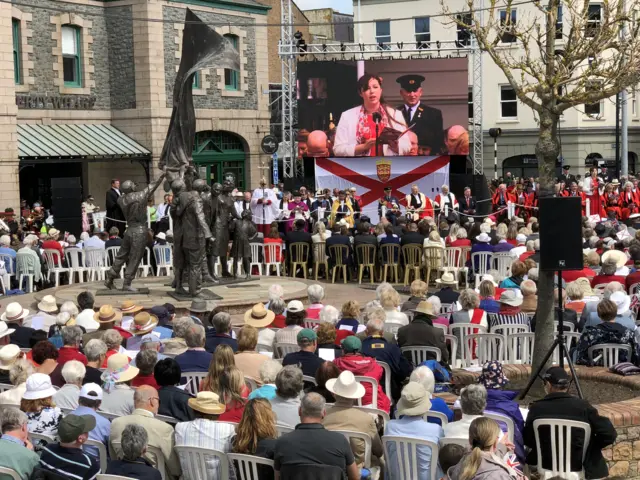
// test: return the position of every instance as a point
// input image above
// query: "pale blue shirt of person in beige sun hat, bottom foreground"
(418, 428)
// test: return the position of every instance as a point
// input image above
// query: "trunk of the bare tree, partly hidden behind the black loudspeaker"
(547, 152)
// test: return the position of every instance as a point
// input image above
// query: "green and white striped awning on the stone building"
(76, 141)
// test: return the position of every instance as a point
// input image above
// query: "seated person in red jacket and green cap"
(353, 360)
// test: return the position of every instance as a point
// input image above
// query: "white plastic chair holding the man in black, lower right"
(561, 441)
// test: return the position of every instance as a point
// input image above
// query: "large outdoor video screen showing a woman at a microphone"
(396, 108)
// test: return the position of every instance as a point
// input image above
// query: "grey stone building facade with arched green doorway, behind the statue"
(124, 57)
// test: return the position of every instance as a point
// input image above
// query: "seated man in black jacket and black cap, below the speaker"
(559, 404)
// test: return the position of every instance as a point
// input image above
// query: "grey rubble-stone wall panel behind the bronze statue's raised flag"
(214, 98)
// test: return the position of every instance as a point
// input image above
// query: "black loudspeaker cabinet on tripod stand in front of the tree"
(560, 233)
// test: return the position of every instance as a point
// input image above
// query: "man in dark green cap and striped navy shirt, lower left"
(67, 457)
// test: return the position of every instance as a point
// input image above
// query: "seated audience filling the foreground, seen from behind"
(284, 383)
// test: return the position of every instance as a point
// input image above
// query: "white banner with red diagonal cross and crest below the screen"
(370, 175)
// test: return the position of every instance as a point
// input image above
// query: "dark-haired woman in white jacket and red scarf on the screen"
(356, 131)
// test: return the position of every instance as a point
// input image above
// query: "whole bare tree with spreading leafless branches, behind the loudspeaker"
(581, 57)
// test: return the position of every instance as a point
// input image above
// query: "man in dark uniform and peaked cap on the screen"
(426, 121)
